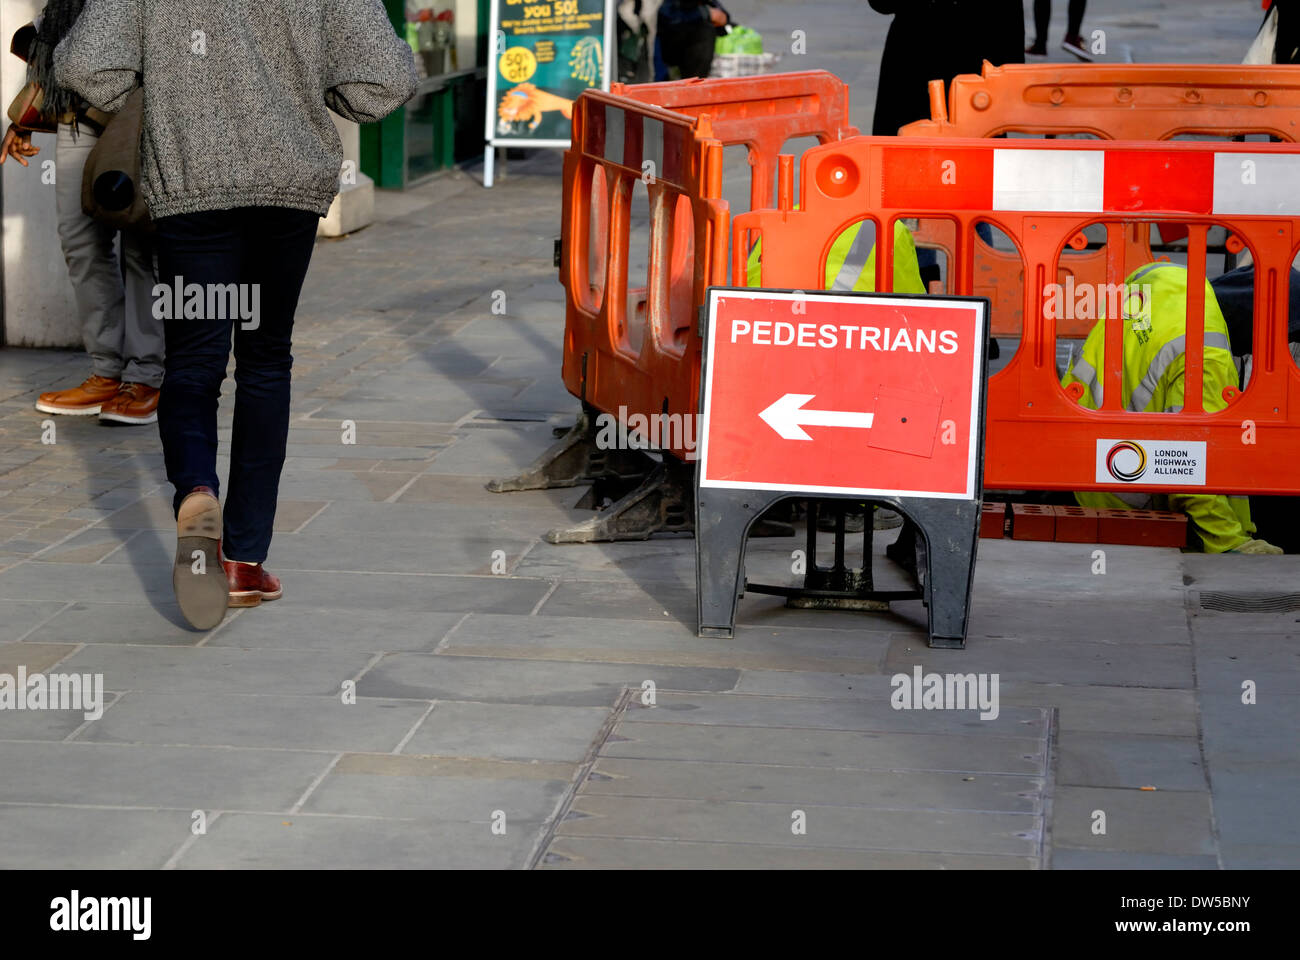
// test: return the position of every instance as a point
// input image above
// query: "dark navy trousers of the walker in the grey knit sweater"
(265, 250)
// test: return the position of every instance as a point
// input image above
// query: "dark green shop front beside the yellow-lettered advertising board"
(432, 132)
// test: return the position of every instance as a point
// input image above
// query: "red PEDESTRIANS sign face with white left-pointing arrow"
(869, 395)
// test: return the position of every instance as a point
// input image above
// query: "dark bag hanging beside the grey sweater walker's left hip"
(111, 183)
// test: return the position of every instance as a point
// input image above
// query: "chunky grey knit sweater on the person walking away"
(236, 92)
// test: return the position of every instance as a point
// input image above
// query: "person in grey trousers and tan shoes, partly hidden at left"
(112, 288)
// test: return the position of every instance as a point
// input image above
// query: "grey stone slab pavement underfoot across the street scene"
(440, 687)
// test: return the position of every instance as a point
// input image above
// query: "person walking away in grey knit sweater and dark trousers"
(239, 162)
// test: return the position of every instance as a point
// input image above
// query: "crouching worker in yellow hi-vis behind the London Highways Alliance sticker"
(1155, 344)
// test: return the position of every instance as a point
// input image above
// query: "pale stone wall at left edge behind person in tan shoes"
(37, 306)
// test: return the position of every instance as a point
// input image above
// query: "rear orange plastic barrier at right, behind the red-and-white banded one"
(1139, 102)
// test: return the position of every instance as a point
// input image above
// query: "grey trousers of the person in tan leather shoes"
(119, 328)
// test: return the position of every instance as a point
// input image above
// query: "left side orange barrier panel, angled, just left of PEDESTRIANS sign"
(631, 344)
